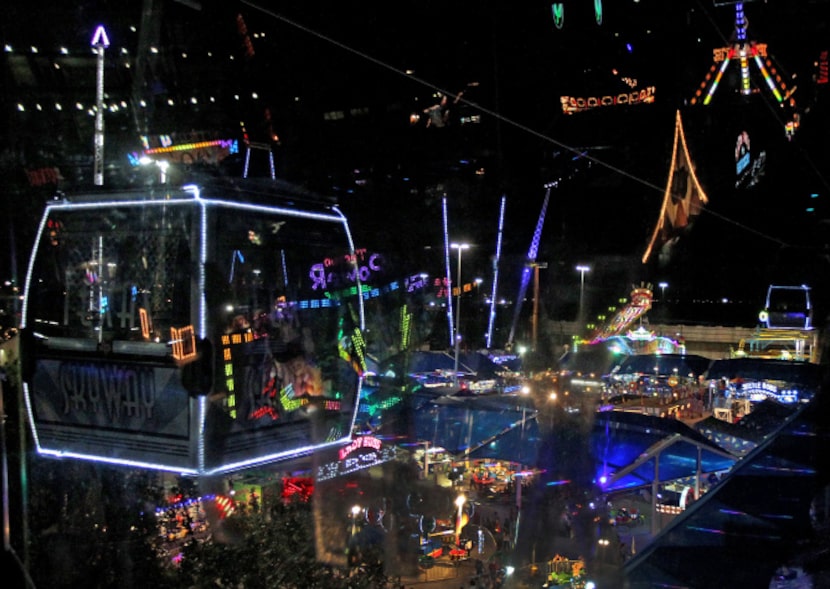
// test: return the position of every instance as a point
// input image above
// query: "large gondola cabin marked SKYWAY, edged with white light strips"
(197, 330)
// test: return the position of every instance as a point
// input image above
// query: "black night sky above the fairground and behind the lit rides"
(316, 57)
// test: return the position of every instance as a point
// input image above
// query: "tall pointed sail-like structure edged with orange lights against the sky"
(683, 199)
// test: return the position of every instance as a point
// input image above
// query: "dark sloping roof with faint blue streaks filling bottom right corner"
(754, 521)
